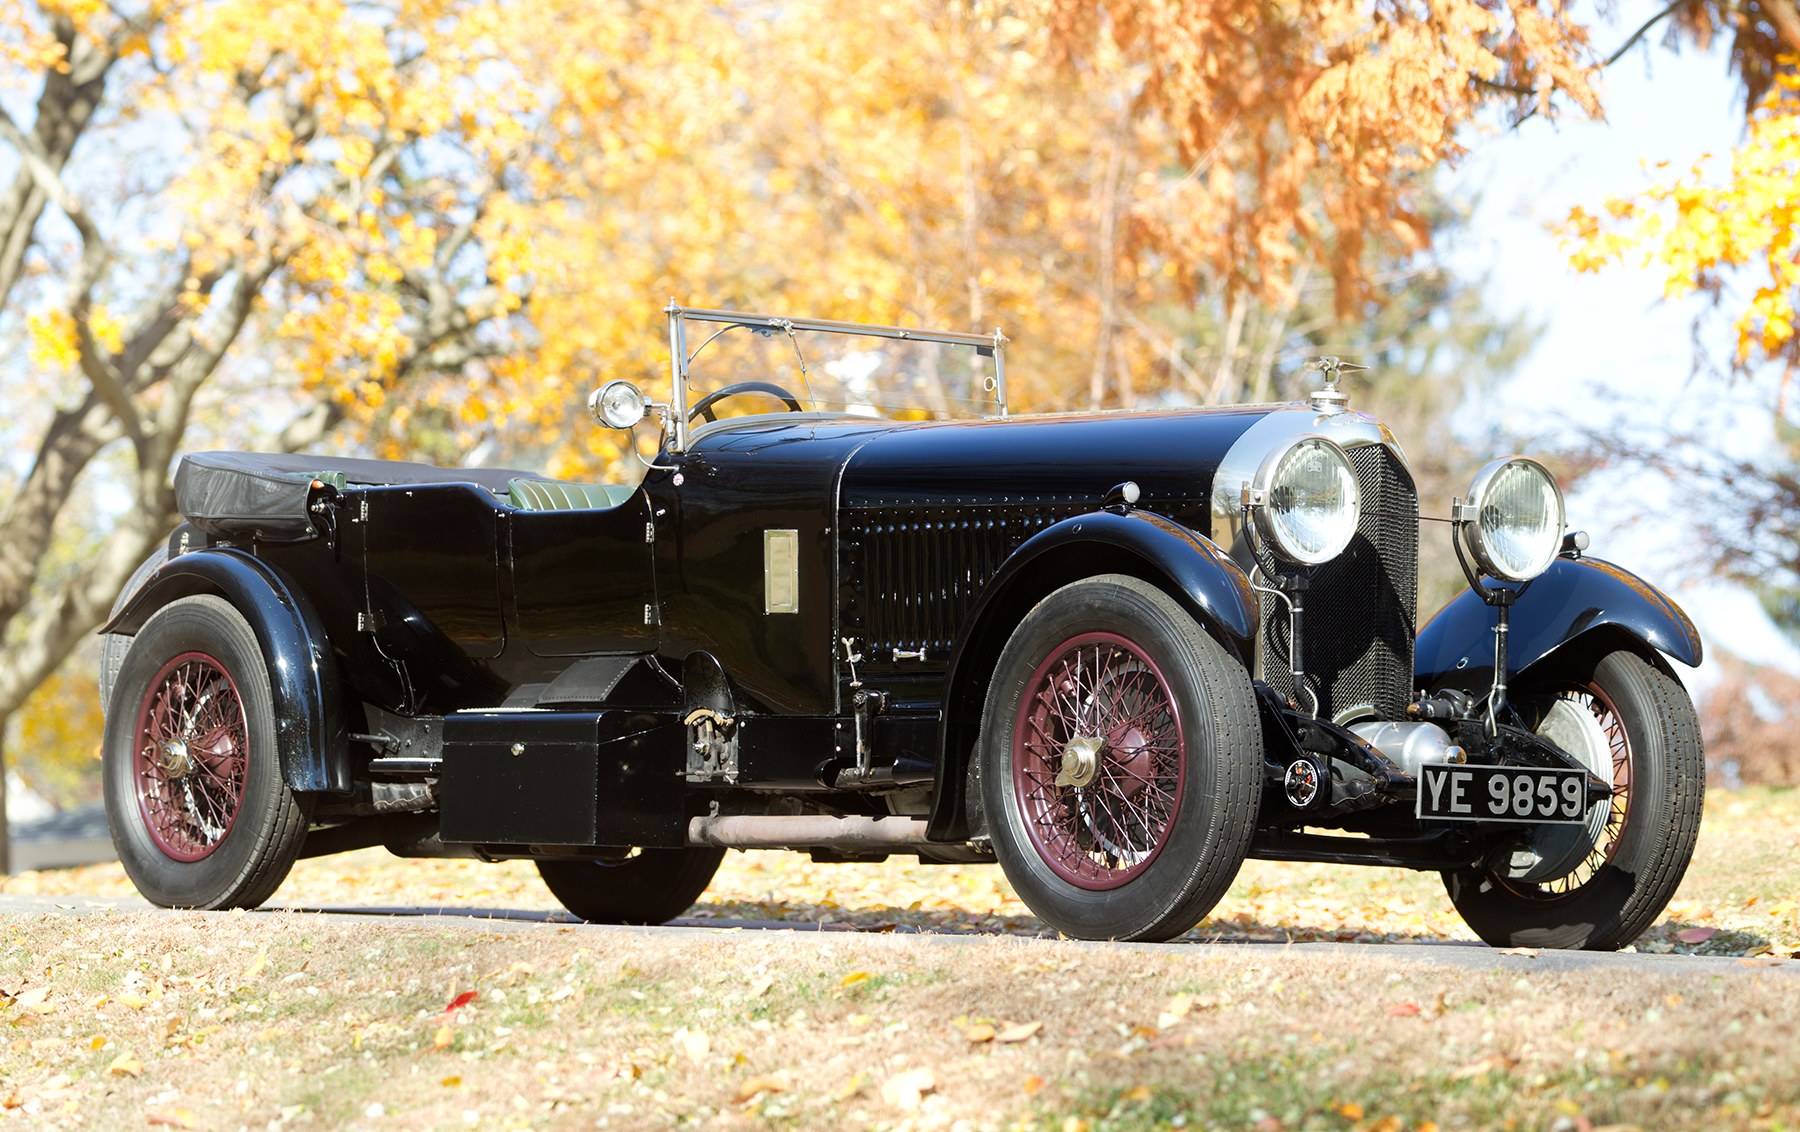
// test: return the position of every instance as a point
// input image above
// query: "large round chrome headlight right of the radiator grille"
(1513, 521)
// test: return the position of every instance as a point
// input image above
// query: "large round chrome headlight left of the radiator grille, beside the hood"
(1308, 501)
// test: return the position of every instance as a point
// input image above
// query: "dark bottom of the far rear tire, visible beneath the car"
(651, 886)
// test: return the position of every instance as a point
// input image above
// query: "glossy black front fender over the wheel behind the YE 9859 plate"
(1570, 602)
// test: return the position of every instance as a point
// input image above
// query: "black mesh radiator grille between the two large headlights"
(1362, 607)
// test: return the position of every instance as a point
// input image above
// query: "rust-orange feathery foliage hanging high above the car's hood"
(1306, 130)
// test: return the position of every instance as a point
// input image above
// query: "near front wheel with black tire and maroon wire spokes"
(1119, 762)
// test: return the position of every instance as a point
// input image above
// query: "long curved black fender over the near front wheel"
(1142, 544)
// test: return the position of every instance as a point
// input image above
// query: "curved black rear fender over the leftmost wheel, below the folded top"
(310, 735)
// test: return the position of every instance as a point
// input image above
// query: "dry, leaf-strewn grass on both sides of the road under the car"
(292, 1020)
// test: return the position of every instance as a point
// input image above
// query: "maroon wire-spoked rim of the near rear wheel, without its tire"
(190, 760)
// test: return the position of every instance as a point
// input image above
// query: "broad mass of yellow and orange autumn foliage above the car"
(474, 208)
